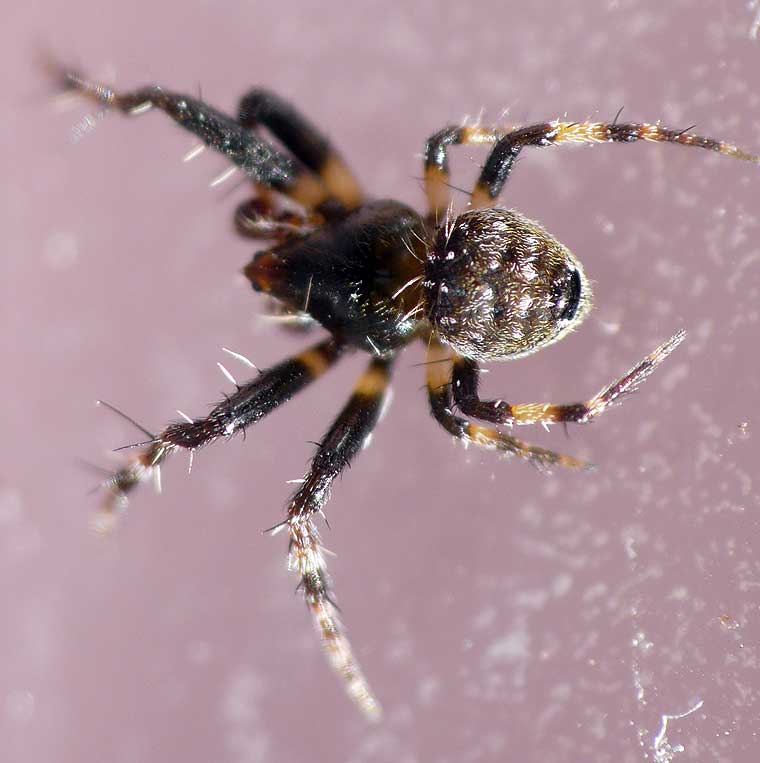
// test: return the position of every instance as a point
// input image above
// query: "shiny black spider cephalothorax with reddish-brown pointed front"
(348, 275)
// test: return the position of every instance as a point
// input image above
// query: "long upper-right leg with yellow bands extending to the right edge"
(502, 157)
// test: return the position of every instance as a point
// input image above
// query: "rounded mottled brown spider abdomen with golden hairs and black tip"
(498, 286)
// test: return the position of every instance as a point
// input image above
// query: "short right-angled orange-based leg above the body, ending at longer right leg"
(437, 174)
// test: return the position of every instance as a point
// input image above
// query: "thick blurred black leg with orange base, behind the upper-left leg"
(304, 141)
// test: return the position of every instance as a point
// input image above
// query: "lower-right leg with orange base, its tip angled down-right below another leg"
(439, 384)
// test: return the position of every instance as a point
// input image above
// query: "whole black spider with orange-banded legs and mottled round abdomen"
(486, 285)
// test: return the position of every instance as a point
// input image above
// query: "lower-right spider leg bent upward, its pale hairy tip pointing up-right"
(465, 384)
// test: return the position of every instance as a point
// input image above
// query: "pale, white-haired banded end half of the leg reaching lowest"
(307, 559)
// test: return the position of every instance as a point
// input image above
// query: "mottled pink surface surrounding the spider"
(500, 614)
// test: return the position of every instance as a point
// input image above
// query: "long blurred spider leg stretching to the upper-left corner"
(256, 157)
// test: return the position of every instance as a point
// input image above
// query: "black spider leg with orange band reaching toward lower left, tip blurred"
(249, 403)
